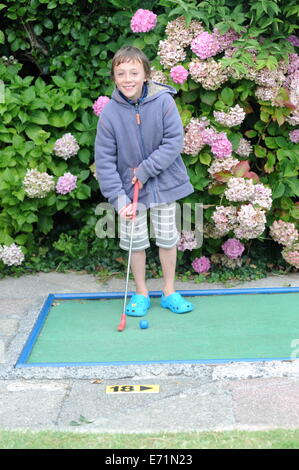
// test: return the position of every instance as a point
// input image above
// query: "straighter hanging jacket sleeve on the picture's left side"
(106, 166)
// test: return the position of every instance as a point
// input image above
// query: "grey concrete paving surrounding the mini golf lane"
(192, 397)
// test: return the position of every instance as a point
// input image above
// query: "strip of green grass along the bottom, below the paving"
(274, 439)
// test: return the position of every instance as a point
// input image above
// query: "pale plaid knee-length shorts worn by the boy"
(164, 224)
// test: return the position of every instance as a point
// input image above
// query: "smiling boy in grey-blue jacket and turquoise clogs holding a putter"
(139, 138)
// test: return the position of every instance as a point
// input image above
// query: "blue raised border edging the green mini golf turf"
(26, 351)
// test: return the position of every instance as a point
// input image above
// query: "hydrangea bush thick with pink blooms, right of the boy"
(240, 145)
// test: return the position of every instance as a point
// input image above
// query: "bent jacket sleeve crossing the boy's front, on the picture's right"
(171, 144)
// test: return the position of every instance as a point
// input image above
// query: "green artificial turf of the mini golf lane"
(221, 327)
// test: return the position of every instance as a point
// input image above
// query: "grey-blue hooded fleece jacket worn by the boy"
(146, 136)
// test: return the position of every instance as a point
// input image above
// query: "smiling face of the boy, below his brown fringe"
(129, 78)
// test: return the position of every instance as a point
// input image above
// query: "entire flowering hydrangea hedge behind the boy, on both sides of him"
(237, 83)
